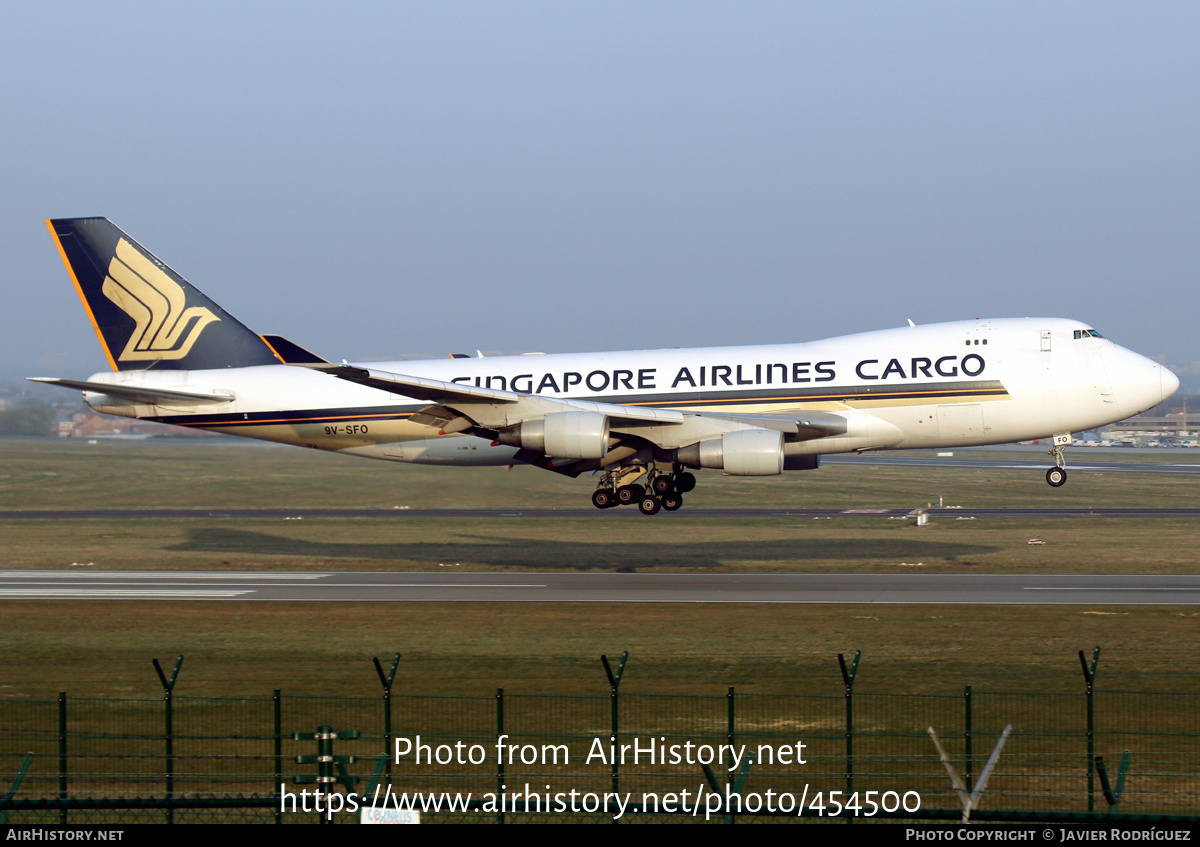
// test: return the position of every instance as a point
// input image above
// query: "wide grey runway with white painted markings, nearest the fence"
(607, 588)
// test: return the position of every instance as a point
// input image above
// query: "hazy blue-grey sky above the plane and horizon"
(376, 181)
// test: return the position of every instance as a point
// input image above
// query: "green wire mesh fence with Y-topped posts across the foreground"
(178, 754)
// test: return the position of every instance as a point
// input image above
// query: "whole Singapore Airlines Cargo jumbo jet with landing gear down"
(640, 421)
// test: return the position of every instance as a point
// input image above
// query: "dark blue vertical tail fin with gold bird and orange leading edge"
(145, 314)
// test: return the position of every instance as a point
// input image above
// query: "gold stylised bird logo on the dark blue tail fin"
(158, 305)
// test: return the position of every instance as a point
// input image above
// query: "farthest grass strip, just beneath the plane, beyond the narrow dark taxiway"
(243, 474)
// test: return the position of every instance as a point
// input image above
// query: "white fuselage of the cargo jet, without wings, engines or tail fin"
(970, 383)
